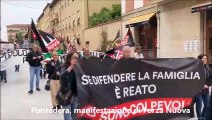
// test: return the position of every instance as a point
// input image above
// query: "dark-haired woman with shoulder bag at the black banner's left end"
(68, 82)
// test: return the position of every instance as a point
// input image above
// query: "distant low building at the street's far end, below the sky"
(14, 29)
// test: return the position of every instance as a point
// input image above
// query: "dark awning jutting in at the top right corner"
(202, 7)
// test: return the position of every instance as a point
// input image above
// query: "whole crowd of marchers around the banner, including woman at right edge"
(62, 77)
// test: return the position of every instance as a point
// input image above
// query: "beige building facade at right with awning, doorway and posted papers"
(169, 28)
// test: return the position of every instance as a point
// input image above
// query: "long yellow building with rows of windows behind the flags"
(69, 18)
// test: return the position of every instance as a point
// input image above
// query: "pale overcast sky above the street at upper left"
(19, 12)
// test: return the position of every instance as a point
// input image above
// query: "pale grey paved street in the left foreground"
(15, 101)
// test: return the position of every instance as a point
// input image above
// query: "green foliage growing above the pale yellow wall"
(105, 15)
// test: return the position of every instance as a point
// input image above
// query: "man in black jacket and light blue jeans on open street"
(34, 59)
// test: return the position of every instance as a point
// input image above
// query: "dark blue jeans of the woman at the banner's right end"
(205, 98)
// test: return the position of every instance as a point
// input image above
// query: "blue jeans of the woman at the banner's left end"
(71, 108)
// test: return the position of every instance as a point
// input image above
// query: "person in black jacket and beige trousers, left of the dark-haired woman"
(53, 70)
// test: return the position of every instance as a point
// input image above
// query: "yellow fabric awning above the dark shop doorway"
(141, 18)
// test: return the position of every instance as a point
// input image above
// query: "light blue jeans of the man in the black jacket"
(34, 71)
